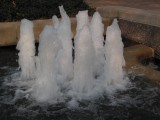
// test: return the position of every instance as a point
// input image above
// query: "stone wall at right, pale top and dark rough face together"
(139, 25)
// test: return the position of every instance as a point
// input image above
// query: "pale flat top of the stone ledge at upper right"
(148, 17)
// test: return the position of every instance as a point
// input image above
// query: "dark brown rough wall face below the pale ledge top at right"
(141, 33)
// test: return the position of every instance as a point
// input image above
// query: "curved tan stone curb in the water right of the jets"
(133, 55)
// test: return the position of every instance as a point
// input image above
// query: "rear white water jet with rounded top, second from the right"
(97, 29)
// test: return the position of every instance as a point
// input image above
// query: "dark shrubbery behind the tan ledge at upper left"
(14, 10)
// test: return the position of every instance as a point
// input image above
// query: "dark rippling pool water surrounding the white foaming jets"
(139, 101)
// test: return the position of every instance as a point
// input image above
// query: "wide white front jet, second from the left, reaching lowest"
(46, 88)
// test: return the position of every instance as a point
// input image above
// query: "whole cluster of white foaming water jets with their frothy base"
(96, 68)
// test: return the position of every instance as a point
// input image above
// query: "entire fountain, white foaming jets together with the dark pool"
(91, 84)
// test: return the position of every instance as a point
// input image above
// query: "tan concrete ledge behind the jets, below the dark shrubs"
(9, 31)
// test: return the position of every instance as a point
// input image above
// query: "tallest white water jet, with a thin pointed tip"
(65, 35)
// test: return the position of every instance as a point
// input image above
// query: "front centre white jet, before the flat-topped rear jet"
(83, 64)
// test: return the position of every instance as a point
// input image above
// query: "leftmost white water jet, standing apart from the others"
(26, 47)
